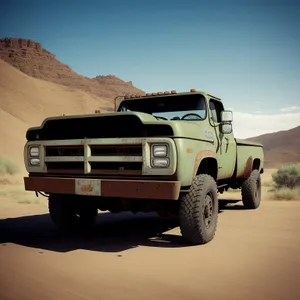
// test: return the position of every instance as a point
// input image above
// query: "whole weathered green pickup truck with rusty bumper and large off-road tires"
(165, 152)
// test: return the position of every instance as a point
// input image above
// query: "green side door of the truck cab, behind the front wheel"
(224, 143)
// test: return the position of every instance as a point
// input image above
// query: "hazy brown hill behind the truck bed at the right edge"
(281, 147)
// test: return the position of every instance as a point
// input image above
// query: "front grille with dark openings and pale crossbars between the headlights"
(71, 159)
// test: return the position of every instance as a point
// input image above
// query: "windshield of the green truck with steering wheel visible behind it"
(169, 107)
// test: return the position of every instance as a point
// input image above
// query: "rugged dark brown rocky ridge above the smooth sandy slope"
(29, 57)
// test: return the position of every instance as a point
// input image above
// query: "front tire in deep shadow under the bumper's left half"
(69, 213)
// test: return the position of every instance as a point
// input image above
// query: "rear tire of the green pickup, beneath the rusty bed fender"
(251, 190)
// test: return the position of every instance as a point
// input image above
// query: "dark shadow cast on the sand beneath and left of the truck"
(112, 233)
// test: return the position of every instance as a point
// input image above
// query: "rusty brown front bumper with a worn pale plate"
(138, 189)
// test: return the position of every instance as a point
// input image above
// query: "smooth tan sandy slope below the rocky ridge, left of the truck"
(26, 101)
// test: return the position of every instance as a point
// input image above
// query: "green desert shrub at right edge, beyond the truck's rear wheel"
(287, 176)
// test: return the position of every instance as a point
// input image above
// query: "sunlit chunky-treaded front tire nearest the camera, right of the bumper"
(198, 212)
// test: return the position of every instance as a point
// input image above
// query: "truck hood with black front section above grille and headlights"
(114, 125)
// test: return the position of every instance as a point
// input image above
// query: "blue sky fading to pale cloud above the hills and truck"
(245, 52)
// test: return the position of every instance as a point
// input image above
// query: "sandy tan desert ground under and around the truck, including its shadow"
(254, 255)
